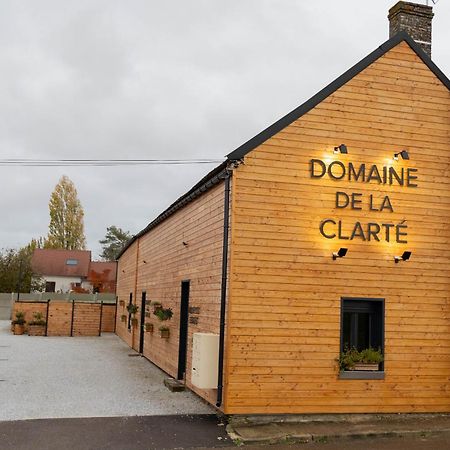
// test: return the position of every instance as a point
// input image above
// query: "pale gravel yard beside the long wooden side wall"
(49, 377)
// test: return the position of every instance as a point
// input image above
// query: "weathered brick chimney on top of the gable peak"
(415, 20)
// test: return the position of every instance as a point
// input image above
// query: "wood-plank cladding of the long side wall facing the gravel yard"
(186, 246)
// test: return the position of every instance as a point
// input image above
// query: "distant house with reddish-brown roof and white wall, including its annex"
(72, 270)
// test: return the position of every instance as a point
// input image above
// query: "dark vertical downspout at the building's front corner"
(223, 293)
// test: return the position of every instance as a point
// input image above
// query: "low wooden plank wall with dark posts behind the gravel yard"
(65, 318)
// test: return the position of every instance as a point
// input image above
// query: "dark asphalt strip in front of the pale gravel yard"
(115, 433)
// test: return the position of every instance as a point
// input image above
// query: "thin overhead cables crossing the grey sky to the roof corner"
(22, 162)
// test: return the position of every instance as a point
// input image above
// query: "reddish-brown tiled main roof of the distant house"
(54, 262)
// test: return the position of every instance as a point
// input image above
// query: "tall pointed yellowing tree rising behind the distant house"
(66, 228)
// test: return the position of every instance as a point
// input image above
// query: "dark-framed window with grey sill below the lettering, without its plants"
(362, 326)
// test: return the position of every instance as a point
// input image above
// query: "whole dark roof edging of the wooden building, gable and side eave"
(218, 173)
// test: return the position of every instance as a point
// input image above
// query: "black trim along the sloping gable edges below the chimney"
(254, 142)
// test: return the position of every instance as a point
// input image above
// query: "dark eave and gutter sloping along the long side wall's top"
(206, 183)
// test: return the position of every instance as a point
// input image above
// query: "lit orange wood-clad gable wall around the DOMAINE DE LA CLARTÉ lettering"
(285, 289)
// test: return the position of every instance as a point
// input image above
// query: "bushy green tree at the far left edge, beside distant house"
(16, 271)
